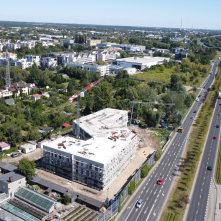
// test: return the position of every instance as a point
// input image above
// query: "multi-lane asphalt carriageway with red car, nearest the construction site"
(153, 195)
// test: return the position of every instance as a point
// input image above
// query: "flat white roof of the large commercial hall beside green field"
(144, 60)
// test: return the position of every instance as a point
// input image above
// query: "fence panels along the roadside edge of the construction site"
(122, 194)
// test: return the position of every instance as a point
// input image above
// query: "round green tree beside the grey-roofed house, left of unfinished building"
(27, 168)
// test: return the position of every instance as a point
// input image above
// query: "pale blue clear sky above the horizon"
(202, 14)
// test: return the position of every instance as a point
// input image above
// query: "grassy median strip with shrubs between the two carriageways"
(179, 196)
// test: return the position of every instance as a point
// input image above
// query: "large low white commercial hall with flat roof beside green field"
(140, 63)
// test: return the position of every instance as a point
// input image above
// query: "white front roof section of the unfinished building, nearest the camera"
(98, 149)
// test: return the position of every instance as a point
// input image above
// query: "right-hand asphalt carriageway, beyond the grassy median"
(199, 197)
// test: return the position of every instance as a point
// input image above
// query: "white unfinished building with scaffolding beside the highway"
(104, 150)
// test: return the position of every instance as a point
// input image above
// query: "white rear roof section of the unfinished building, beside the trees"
(101, 123)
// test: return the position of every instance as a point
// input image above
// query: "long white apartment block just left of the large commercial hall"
(102, 69)
